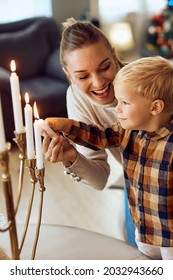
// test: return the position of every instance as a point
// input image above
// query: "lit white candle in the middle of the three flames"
(29, 128)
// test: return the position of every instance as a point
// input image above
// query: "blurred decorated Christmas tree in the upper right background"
(159, 37)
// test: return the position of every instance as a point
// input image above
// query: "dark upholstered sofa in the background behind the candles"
(34, 45)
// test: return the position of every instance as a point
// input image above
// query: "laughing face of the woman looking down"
(92, 68)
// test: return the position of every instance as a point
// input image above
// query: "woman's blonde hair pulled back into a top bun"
(77, 34)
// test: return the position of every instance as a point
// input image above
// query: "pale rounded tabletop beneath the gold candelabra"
(69, 243)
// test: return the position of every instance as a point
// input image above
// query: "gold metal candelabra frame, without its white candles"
(36, 175)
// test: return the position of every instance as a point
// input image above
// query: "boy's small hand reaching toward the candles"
(59, 124)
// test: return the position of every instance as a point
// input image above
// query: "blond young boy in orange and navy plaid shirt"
(144, 91)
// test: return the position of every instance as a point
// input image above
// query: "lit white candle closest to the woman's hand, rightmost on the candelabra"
(38, 142)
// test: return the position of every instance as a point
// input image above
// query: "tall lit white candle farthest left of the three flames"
(16, 99)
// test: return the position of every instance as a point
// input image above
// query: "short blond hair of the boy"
(151, 77)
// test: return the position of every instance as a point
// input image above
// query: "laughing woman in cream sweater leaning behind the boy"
(90, 64)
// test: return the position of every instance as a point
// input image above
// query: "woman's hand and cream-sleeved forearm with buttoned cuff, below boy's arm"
(92, 168)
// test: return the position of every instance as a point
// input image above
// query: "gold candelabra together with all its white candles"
(28, 155)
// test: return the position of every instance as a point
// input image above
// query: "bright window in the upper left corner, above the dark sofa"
(12, 10)
